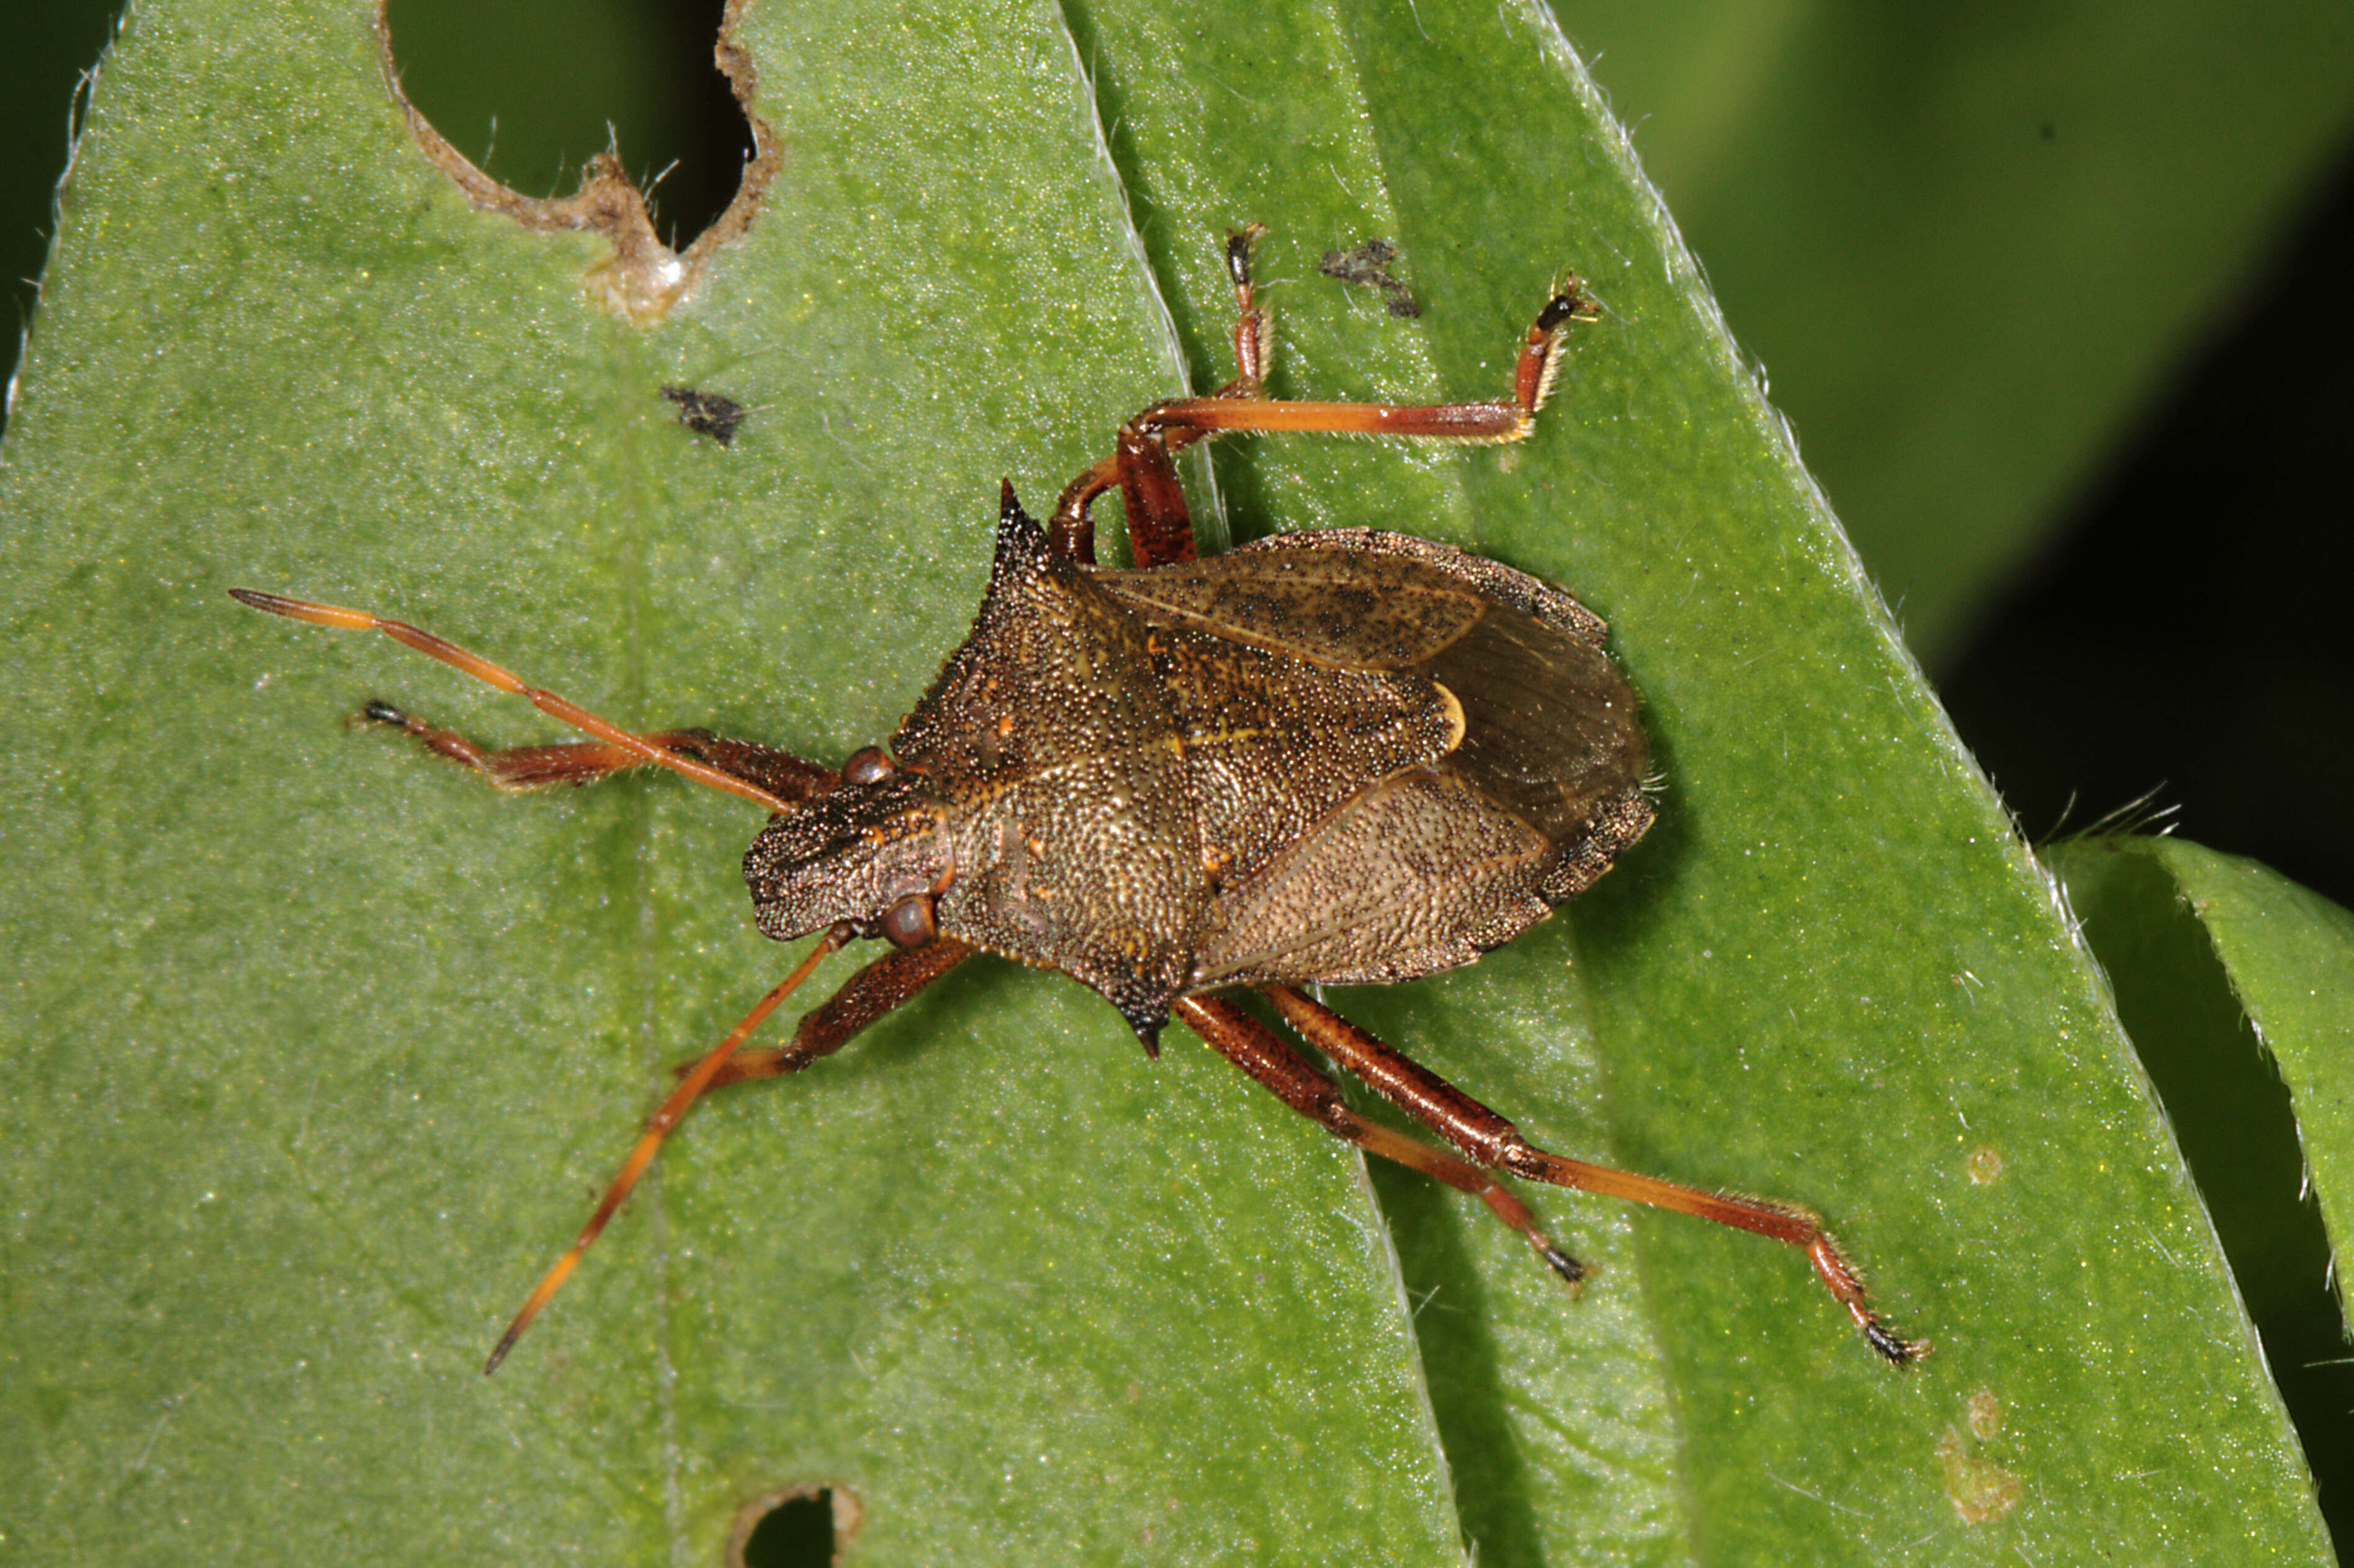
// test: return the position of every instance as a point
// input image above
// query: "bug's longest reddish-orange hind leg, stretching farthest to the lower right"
(1498, 1145)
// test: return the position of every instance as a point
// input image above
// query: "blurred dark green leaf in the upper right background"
(1974, 244)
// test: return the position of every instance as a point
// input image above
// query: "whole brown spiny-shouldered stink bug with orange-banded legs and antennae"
(1324, 757)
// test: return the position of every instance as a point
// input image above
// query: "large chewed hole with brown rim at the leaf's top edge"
(536, 88)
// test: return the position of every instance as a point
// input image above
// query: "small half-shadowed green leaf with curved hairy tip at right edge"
(2235, 983)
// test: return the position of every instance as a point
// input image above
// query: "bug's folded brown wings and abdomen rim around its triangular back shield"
(1444, 853)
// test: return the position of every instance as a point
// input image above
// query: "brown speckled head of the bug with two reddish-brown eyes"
(872, 851)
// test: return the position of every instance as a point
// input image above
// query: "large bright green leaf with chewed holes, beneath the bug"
(319, 1051)
